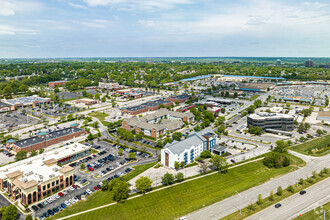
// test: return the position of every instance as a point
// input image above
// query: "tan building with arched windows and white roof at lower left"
(35, 178)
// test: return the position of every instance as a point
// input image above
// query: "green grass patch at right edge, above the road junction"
(316, 147)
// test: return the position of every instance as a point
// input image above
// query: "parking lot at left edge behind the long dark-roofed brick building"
(16, 120)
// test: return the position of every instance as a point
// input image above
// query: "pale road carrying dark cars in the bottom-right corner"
(296, 203)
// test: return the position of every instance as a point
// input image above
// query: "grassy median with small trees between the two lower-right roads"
(276, 197)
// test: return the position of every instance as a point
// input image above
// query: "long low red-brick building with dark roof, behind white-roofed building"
(45, 139)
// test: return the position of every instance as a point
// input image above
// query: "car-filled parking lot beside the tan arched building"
(113, 168)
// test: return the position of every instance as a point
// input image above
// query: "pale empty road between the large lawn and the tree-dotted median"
(234, 203)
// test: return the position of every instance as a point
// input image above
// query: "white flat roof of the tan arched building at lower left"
(34, 167)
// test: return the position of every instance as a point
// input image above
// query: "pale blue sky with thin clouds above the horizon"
(164, 28)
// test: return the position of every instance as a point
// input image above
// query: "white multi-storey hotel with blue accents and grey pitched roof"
(188, 149)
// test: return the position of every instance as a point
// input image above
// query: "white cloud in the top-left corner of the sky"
(11, 7)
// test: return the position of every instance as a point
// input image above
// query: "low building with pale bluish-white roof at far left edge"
(28, 101)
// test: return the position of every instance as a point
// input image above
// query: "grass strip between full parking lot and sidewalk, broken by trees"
(101, 198)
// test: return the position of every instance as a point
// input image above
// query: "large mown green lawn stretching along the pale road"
(181, 199)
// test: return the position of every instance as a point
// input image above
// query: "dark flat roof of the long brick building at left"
(46, 136)
